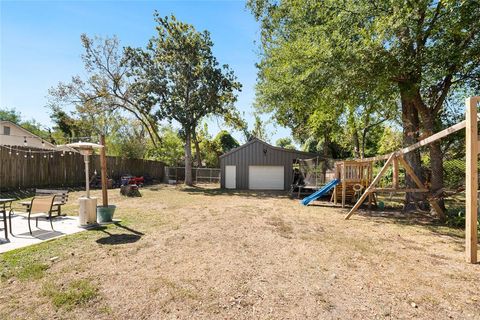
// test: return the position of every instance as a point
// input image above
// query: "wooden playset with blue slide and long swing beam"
(354, 178)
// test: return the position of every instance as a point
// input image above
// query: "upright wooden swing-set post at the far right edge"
(471, 180)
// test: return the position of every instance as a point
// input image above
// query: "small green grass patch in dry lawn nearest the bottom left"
(76, 293)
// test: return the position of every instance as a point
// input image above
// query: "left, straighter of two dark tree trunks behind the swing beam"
(411, 125)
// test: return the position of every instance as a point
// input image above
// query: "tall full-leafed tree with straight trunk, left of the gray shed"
(183, 76)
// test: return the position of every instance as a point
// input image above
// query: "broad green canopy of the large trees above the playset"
(334, 70)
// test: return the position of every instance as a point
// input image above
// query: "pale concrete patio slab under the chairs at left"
(21, 237)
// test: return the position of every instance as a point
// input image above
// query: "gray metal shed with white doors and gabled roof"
(256, 165)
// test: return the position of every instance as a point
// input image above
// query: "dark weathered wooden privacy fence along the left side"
(23, 169)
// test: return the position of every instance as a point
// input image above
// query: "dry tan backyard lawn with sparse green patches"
(203, 253)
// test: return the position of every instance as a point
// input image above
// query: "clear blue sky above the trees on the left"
(40, 44)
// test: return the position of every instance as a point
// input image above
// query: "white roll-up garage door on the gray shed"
(266, 177)
